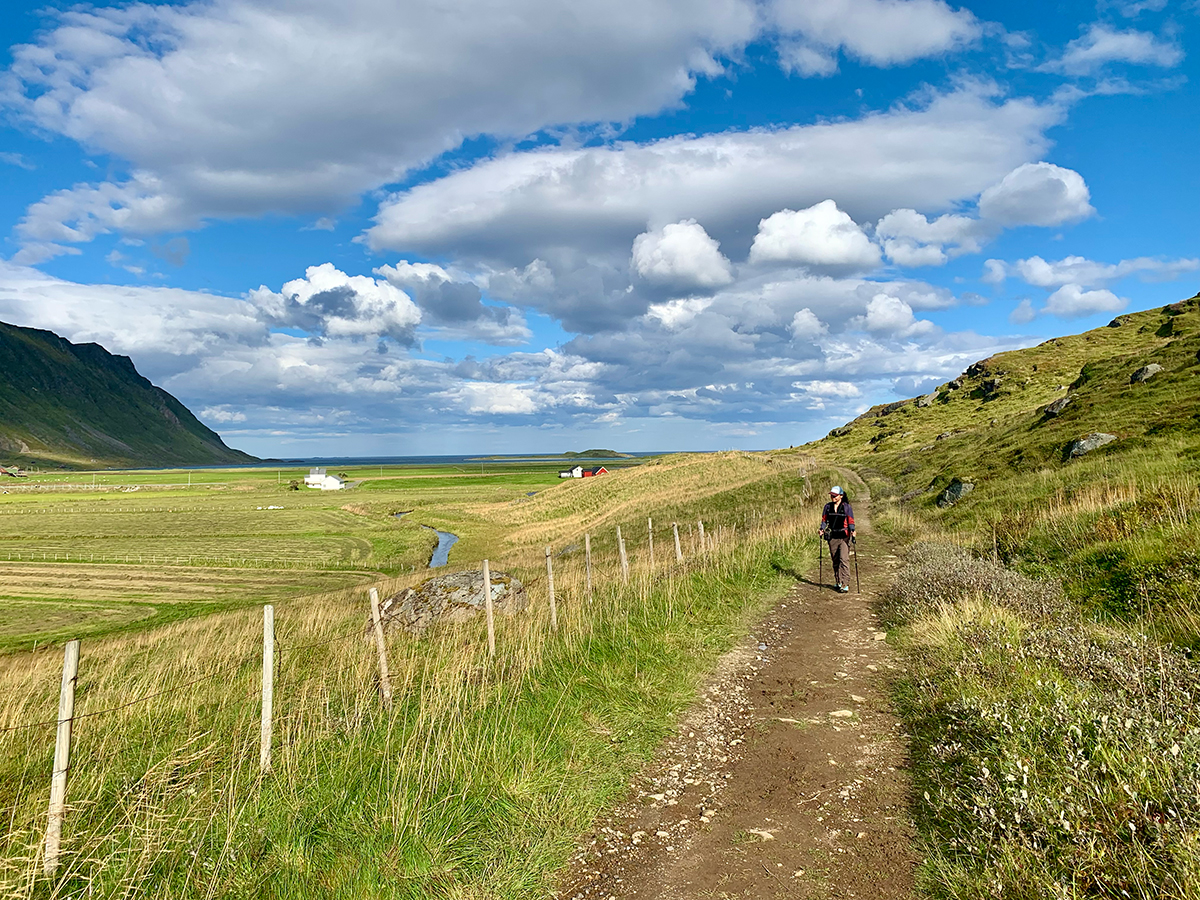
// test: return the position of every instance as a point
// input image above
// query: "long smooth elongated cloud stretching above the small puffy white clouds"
(527, 206)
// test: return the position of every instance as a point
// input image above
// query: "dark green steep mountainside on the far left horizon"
(82, 407)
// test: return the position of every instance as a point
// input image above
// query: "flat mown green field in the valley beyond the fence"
(88, 554)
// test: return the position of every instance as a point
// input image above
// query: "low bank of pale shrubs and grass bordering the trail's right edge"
(1054, 757)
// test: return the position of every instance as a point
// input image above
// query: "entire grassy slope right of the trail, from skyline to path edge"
(1051, 615)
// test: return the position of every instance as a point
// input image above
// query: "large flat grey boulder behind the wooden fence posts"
(455, 597)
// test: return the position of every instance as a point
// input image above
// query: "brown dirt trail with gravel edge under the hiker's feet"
(788, 781)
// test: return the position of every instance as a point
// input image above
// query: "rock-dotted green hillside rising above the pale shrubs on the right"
(1114, 524)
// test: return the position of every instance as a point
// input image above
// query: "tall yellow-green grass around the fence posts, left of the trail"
(477, 785)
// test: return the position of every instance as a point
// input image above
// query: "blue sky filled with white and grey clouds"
(543, 226)
